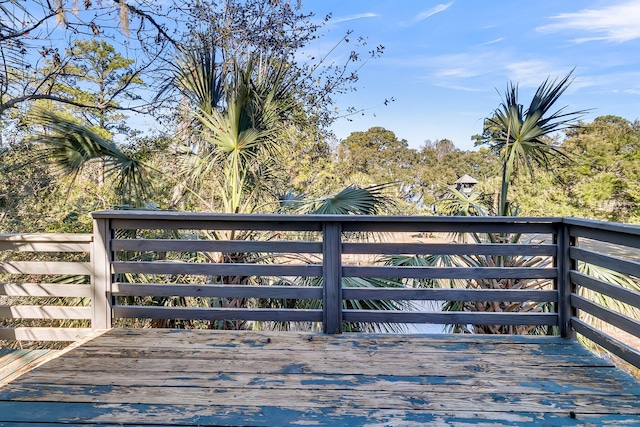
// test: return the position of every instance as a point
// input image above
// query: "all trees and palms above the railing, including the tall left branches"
(242, 125)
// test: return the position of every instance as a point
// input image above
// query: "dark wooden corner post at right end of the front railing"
(564, 263)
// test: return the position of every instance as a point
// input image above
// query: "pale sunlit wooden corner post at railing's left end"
(101, 278)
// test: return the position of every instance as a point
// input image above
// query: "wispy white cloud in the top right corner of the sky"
(617, 23)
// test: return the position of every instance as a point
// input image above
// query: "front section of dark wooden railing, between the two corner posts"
(335, 247)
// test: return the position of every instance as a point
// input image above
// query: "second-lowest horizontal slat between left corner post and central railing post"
(219, 291)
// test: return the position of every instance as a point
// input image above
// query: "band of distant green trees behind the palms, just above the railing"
(598, 178)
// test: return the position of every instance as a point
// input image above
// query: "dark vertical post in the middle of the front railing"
(332, 277)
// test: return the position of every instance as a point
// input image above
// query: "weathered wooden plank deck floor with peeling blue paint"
(167, 377)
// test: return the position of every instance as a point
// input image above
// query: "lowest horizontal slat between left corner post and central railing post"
(191, 313)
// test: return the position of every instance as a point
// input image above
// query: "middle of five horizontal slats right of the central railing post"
(451, 272)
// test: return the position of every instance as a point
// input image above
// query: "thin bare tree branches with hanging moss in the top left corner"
(38, 30)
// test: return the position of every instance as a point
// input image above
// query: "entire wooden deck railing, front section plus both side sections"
(145, 268)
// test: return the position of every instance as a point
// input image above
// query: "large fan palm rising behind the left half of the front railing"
(240, 135)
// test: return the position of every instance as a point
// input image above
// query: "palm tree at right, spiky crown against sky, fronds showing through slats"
(522, 139)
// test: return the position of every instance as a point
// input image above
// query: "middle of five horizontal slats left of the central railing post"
(222, 269)
